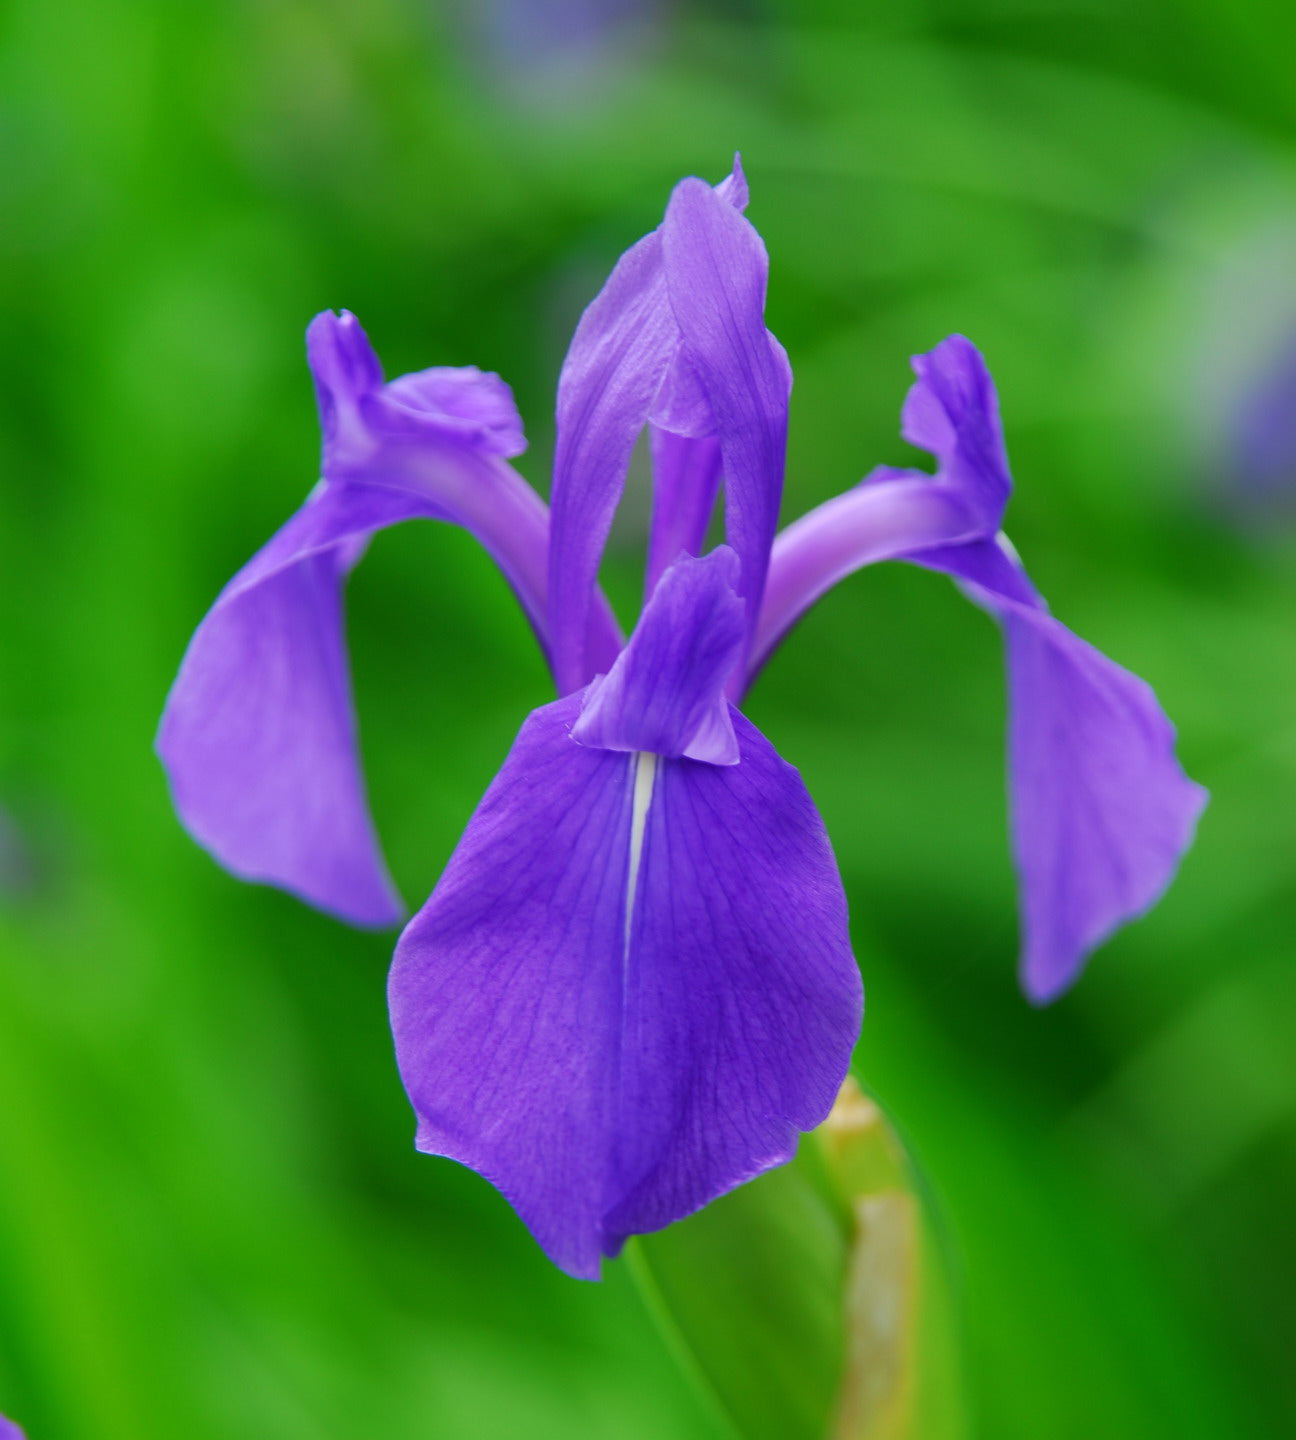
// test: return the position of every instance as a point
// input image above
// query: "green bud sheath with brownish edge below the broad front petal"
(816, 1301)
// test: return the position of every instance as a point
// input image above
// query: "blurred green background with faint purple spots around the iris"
(212, 1219)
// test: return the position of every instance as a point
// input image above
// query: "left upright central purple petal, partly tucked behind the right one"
(620, 356)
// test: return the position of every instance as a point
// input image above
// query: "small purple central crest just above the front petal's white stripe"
(666, 693)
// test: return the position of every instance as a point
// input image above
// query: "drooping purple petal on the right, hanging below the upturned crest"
(1102, 811)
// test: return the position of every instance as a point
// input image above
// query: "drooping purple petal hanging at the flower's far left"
(258, 737)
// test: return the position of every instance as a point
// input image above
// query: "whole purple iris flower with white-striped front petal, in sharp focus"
(633, 987)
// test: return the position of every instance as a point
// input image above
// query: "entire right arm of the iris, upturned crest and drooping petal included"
(1102, 811)
